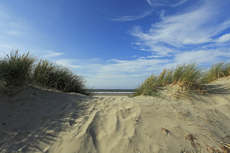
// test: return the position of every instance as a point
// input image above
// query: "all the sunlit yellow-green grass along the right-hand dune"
(189, 79)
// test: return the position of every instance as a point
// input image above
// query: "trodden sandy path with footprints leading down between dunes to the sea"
(110, 122)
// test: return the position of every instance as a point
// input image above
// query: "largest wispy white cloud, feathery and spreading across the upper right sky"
(193, 27)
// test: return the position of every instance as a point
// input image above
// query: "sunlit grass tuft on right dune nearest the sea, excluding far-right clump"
(184, 77)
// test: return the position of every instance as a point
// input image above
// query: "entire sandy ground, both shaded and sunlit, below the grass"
(36, 119)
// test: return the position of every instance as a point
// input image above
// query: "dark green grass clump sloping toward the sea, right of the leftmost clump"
(59, 77)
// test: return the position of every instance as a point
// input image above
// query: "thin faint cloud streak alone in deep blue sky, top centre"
(131, 18)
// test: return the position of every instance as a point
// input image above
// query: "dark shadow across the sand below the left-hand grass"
(32, 118)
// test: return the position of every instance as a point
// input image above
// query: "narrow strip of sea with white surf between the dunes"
(113, 91)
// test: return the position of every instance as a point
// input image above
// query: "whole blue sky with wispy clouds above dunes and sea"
(117, 43)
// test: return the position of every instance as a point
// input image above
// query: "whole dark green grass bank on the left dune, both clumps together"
(16, 71)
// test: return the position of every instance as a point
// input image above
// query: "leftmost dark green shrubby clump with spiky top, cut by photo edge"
(15, 70)
